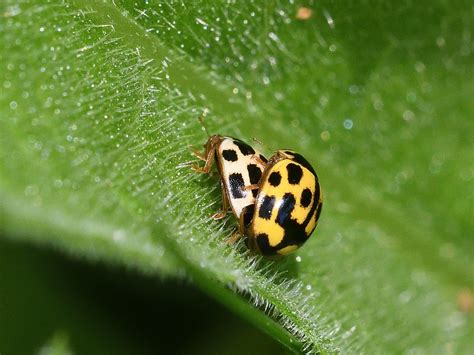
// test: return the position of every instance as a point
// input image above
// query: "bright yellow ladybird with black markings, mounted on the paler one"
(287, 206)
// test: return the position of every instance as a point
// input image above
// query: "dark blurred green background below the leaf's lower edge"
(97, 309)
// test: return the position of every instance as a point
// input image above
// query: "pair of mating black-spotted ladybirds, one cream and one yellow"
(277, 201)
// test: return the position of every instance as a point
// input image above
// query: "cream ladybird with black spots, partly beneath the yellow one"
(240, 168)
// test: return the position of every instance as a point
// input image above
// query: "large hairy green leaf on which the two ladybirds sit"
(99, 108)
